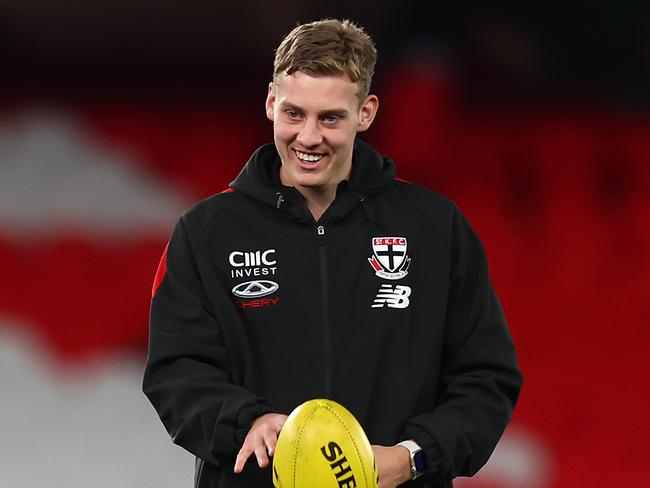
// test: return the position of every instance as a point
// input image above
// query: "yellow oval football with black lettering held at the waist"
(321, 445)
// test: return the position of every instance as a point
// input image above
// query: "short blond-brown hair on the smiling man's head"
(328, 47)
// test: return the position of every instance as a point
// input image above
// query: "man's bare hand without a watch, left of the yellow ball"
(261, 440)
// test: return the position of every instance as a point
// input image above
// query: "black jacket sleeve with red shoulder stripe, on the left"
(187, 376)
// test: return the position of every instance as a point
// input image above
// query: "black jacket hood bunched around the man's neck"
(260, 177)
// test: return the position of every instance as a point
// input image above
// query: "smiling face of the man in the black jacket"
(315, 120)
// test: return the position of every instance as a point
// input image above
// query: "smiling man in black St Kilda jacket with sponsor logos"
(319, 275)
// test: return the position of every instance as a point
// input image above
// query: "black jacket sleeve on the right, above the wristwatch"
(480, 379)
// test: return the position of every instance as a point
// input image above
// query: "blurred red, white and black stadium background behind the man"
(116, 116)
